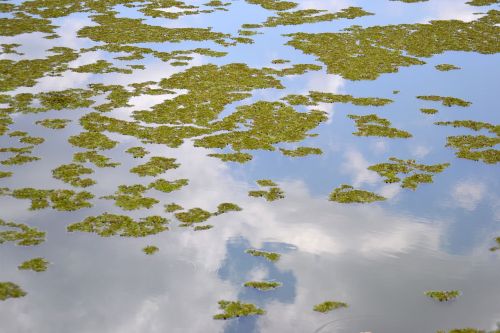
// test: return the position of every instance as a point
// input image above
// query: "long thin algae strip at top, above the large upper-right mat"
(312, 16)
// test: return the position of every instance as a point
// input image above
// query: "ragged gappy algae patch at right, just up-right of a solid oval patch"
(416, 173)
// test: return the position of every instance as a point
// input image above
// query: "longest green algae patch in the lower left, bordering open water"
(106, 225)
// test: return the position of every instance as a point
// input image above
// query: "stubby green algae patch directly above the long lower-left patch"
(131, 198)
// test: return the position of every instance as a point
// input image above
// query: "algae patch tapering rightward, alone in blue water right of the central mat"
(372, 125)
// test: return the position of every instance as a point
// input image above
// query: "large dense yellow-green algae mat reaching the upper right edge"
(360, 53)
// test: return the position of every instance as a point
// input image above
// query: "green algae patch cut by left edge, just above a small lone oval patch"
(21, 234)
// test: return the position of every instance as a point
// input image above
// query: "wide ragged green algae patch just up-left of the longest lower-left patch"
(62, 200)
